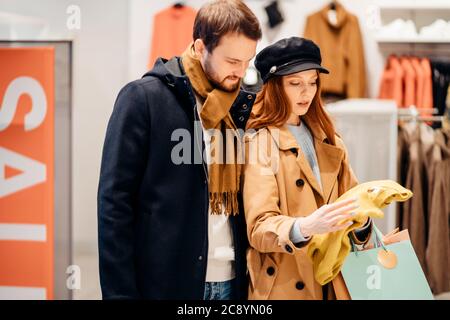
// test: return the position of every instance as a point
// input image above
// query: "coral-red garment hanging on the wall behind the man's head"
(172, 32)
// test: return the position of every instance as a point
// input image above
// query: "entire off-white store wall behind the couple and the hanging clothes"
(112, 48)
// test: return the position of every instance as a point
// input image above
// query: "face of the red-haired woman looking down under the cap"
(300, 88)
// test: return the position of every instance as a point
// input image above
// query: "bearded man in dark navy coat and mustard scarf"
(170, 225)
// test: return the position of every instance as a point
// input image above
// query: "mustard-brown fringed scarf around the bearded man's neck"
(224, 175)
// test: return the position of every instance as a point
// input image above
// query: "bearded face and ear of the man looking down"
(225, 66)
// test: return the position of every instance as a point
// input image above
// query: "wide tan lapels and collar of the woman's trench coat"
(328, 156)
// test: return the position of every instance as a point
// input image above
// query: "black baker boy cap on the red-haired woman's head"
(288, 56)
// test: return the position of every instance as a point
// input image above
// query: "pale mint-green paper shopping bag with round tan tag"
(386, 272)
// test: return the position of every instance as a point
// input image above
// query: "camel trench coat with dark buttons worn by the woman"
(278, 186)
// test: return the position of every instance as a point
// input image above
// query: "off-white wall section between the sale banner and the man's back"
(100, 66)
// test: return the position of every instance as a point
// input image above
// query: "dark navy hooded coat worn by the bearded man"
(152, 213)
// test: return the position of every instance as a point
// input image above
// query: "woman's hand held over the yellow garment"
(326, 218)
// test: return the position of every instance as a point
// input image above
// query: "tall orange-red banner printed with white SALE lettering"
(26, 173)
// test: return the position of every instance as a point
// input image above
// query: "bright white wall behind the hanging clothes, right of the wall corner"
(295, 12)
